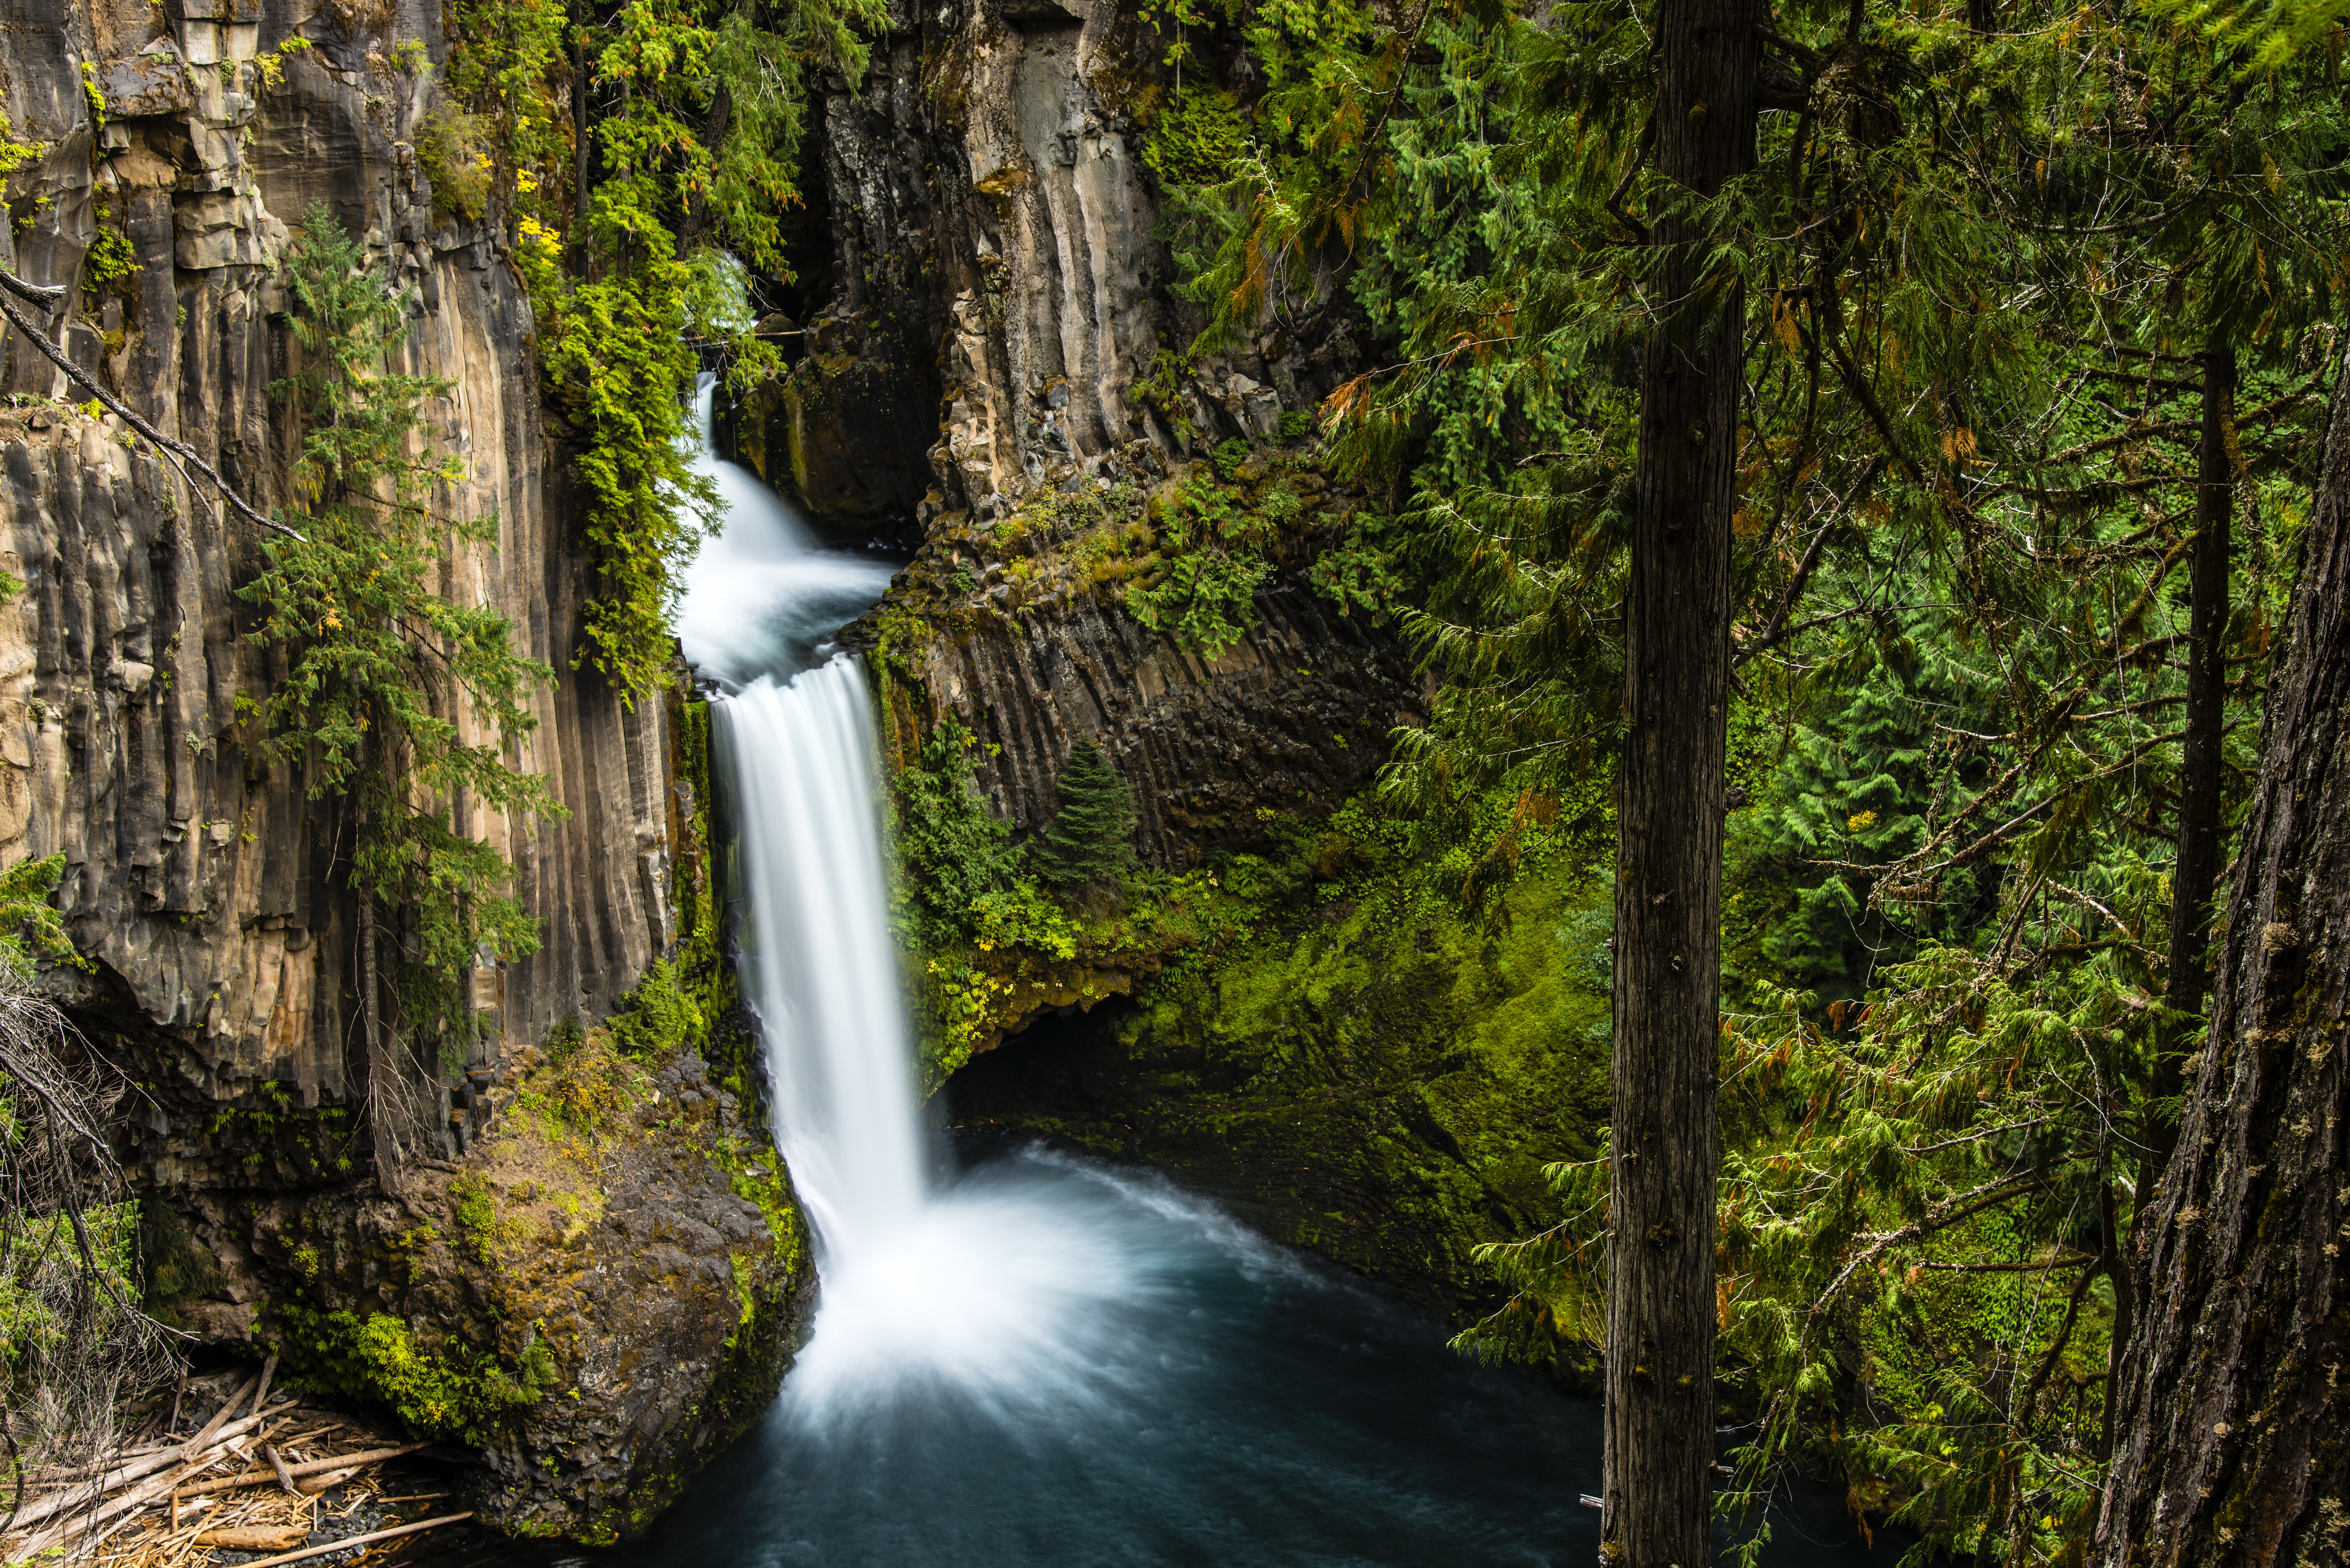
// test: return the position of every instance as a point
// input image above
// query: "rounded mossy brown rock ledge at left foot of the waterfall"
(598, 1299)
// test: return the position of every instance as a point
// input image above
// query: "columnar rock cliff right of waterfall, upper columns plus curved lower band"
(998, 337)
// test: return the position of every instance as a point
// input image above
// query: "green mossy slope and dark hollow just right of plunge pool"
(1357, 1059)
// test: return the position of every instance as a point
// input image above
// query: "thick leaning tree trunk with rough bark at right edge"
(2234, 1412)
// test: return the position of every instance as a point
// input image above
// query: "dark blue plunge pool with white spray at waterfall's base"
(1070, 1365)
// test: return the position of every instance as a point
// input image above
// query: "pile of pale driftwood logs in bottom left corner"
(243, 1482)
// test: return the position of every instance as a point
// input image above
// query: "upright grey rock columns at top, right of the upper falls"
(998, 248)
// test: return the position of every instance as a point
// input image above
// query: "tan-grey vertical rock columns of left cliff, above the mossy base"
(196, 871)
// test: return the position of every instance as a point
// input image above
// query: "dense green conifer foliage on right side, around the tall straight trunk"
(1978, 274)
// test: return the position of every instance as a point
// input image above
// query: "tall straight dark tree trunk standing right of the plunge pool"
(1670, 850)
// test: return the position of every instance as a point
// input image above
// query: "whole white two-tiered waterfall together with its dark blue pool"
(1030, 1358)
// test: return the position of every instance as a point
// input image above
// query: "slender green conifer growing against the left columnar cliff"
(394, 699)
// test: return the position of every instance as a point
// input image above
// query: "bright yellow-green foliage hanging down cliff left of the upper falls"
(636, 215)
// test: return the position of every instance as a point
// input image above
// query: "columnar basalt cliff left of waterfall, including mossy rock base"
(208, 887)
